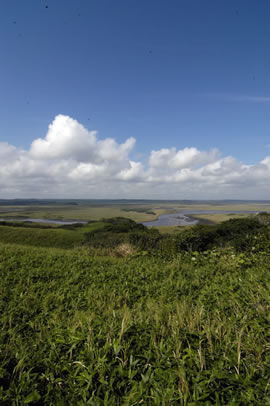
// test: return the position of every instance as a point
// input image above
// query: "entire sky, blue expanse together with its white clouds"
(166, 99)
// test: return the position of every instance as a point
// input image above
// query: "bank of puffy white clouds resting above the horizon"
(71, 161)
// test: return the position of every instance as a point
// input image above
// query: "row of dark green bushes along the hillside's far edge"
(241, 234)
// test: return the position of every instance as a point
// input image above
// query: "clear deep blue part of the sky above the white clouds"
(170, 74)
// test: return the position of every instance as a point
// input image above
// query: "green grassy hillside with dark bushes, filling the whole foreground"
(122, 315)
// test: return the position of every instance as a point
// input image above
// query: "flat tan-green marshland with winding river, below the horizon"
(137, 210)
